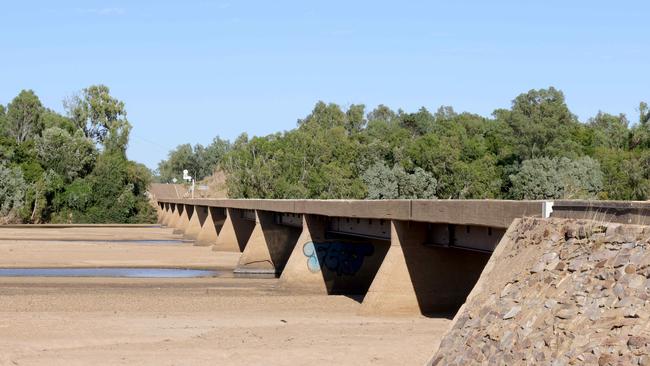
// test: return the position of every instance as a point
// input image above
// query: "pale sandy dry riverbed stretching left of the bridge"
(202, 321)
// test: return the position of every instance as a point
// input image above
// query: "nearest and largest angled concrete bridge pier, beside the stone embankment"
(418, 279)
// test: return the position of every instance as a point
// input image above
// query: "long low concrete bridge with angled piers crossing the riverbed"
(399, 256)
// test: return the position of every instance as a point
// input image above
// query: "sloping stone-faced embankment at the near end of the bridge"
(558, 292)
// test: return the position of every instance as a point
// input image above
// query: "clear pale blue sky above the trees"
(192, 70)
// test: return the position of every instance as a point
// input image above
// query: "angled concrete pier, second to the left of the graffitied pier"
(235, 232)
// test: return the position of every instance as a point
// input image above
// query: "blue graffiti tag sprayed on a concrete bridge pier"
(339, 257)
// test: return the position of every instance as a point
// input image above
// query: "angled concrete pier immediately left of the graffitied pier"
(268, 247)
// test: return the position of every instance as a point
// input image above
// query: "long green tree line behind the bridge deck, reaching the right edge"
(536, 149)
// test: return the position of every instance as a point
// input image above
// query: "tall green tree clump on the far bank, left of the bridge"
(70, 168)
